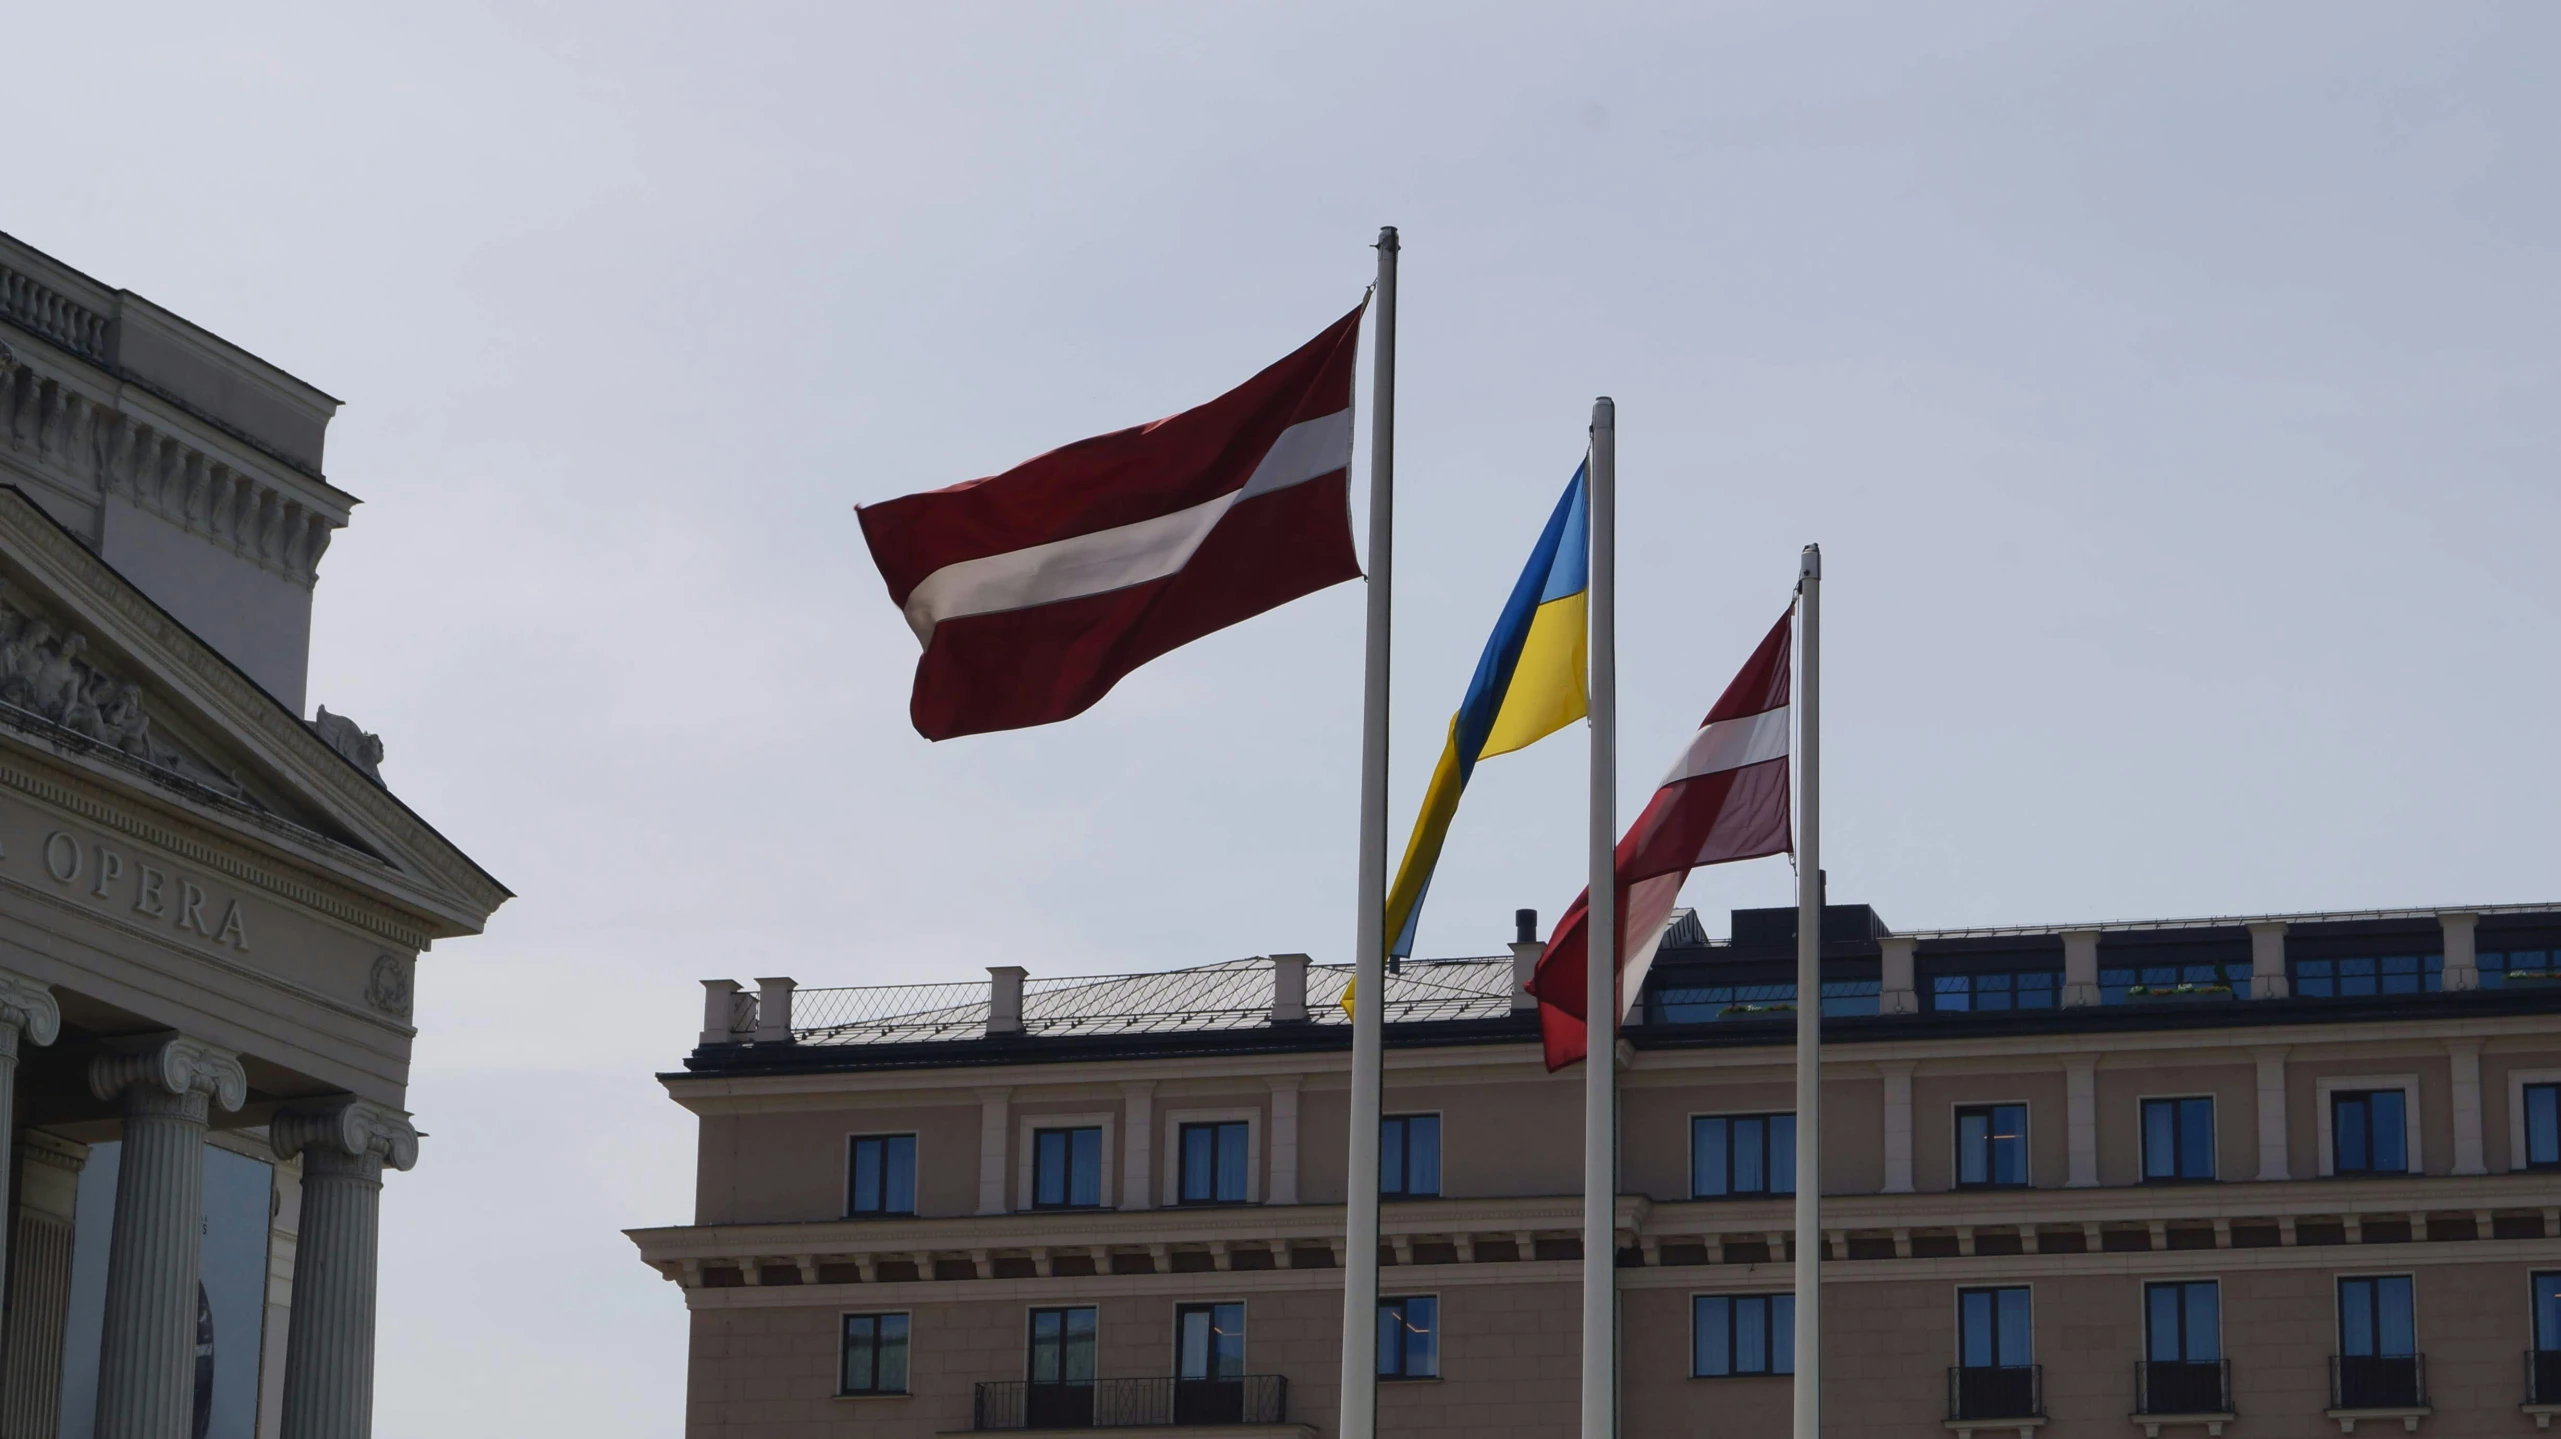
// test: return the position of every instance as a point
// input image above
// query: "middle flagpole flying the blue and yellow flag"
(1602, 956)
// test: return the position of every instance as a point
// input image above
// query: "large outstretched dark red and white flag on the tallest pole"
(1041, 588)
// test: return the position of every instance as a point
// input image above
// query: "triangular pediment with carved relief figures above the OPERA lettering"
(99, 677)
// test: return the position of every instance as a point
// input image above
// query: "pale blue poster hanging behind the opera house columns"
(232, 1299)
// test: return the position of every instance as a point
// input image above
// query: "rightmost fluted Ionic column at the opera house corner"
(329, 1351)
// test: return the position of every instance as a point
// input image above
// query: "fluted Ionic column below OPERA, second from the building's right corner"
(147, 1356)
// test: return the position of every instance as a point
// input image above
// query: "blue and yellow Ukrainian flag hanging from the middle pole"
(1528, 685)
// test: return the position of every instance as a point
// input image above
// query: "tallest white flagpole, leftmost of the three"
(1371, 933)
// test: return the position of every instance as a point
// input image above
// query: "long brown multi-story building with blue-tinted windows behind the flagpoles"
(2268, 1174)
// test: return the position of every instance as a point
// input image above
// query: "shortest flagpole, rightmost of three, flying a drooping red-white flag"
(1809, 1008)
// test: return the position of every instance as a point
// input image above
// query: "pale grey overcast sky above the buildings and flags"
(2168, 385)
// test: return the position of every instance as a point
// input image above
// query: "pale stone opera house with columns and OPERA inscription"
(211, 905)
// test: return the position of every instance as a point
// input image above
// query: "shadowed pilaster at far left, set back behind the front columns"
(40, 1287)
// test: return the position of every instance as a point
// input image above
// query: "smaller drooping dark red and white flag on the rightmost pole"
(1725, 800)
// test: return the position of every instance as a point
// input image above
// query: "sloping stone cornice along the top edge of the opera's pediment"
(426, 874)
